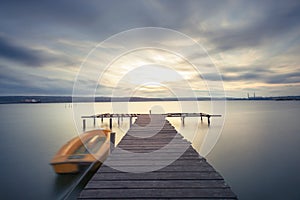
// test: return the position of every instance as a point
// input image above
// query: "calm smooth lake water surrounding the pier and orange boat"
(257, 152)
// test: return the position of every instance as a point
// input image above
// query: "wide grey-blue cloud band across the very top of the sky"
(98, 20)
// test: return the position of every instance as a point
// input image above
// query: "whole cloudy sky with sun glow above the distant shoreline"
(247, 47)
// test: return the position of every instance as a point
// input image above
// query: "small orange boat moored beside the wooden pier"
(90, 147)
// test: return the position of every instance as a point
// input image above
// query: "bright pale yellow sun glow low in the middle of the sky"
(151, 69)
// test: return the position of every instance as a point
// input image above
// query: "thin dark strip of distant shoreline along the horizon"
(69, 99)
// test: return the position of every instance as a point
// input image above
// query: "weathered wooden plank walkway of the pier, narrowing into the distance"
(153, 161)
